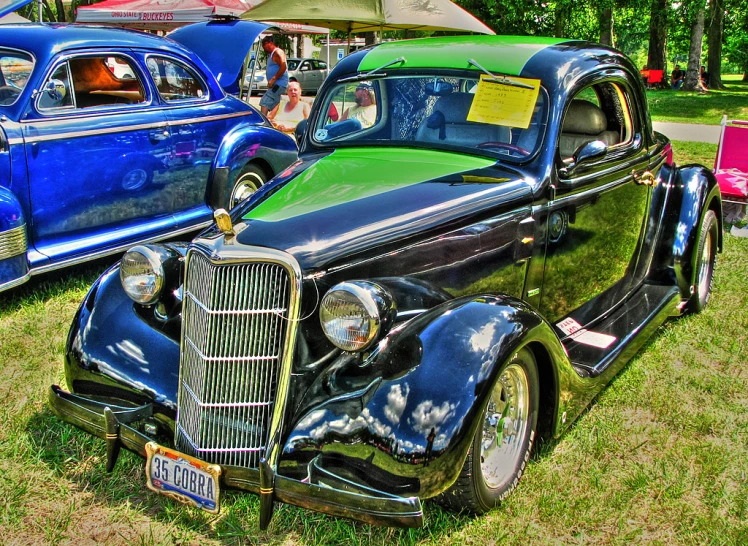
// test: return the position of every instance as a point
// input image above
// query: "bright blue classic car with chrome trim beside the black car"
(109, 137)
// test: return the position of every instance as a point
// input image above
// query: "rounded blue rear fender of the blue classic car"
(268, 149)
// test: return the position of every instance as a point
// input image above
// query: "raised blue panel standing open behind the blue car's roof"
(222, 45)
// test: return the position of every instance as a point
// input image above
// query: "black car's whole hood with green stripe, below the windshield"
(357, 199)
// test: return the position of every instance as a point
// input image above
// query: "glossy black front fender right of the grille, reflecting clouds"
(403, 419)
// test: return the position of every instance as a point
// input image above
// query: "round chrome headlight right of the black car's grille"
(353, 314)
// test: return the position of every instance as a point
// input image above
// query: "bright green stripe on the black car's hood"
(349, 174)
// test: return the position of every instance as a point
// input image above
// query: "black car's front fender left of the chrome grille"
(113, 351)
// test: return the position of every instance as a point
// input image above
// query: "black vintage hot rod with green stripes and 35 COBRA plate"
(479, 233)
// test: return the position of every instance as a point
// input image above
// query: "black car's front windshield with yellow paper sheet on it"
(465, 114)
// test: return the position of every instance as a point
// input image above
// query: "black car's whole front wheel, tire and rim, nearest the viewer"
(477, 490)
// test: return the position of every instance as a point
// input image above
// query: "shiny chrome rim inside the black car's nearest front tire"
(505, 426)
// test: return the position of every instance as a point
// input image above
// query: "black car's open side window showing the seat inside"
(599, 112)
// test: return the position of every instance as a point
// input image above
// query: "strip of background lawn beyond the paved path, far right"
(707, 108)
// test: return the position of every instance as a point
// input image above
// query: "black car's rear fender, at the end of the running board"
(693, 191)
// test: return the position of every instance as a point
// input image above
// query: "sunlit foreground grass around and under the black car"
(661, 457)
